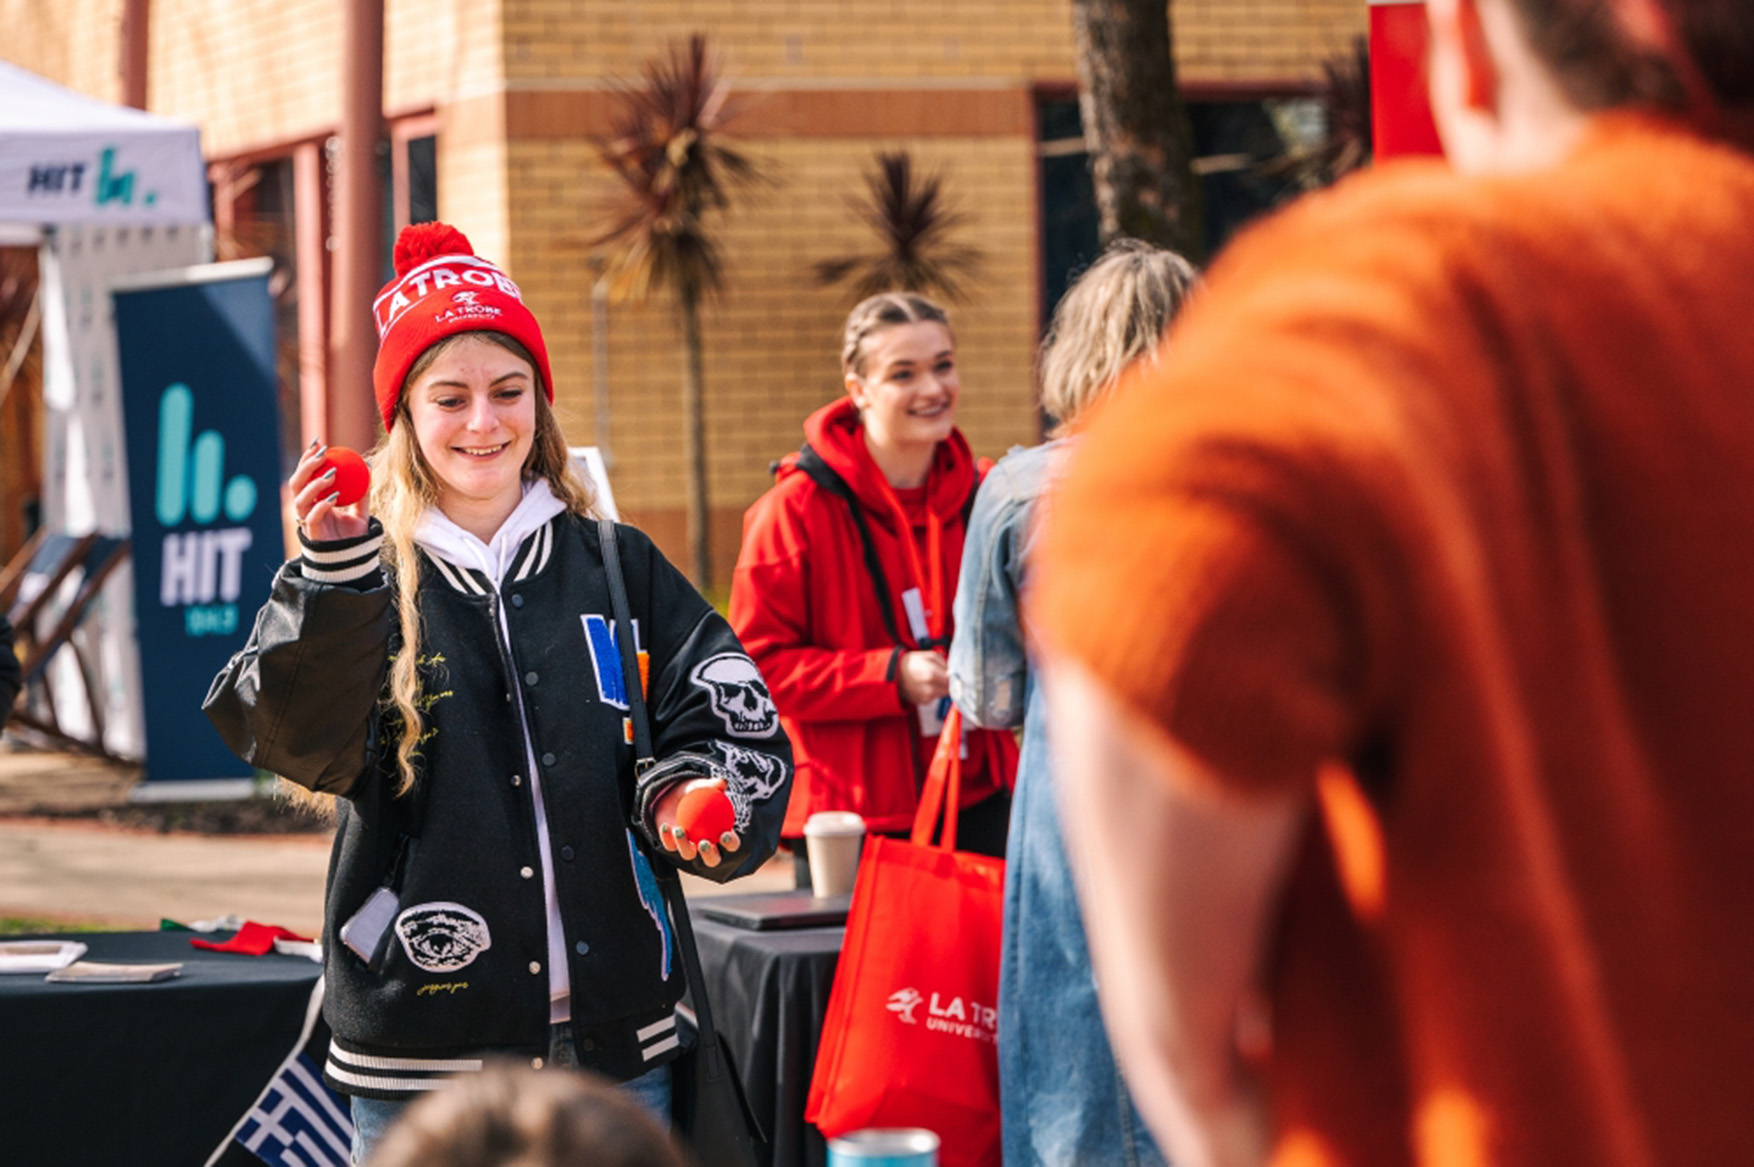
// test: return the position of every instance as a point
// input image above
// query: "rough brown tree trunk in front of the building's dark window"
(1136, 125)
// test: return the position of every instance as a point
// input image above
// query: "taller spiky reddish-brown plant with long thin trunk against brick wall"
(674, 164)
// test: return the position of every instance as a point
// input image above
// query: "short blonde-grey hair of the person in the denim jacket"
(1115, 315)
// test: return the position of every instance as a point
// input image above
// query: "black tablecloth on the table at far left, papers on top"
(143, 1075)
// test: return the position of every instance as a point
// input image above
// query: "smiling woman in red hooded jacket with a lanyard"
(845, 585)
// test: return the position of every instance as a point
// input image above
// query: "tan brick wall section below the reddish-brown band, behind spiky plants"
(773, 338)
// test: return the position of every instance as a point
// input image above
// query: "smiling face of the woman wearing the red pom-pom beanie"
(474, 415)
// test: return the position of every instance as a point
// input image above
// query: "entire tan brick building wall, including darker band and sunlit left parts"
(520, 83)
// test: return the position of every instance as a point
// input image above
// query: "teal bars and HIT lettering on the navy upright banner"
(201, 569)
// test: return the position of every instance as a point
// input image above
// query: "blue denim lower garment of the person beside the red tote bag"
(1062, 1094)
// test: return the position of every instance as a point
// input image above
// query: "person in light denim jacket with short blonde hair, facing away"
(1060, 1091)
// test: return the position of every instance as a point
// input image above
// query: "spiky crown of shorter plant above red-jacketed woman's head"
(915, 224)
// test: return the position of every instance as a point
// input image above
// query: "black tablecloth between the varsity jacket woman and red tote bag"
(769, 994)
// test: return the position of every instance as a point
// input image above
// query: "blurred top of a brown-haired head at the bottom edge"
(515, 1117)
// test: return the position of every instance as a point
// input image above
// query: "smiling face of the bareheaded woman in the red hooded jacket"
(908, 394)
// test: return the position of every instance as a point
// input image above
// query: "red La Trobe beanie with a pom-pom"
(443, 289)
